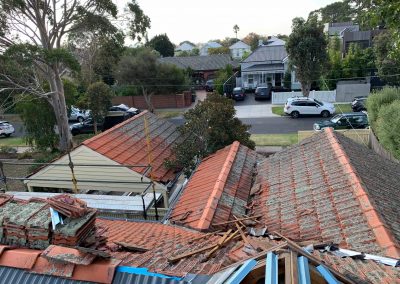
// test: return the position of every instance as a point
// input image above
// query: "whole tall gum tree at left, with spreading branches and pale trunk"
(35, 31)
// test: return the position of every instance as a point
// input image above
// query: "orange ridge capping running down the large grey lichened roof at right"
(382, 234)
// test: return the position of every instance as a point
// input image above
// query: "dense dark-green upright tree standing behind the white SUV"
(306, 48)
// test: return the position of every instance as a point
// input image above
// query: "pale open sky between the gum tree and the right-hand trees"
(204, 20)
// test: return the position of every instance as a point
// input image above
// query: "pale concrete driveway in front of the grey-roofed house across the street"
(250, 108)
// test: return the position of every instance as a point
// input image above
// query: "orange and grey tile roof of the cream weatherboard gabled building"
(125, 143)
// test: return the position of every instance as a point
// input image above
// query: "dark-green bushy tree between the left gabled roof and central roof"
(210, 126)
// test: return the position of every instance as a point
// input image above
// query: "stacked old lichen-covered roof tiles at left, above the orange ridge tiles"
(28, 224)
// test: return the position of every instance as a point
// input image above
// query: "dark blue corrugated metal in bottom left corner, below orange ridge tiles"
(10, 275)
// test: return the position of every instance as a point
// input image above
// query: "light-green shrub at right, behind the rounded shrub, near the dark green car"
(379, 99)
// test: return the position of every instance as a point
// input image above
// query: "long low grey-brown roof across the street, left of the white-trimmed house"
(201, 63)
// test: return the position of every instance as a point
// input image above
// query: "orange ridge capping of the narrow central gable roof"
(204, 222)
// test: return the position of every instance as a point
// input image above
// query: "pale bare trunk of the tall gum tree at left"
(60, 110)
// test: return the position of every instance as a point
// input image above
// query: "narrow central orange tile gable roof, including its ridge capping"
(218, 189)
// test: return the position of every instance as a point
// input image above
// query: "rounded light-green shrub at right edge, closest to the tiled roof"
(388, 128)
